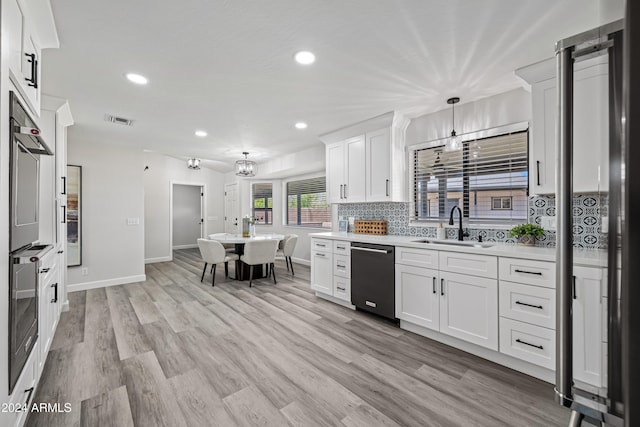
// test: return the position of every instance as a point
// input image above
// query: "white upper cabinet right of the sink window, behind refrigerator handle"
(590, 125)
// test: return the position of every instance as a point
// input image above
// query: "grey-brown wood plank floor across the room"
(176, 352)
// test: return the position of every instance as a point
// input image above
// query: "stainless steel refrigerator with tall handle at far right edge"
(616, 401)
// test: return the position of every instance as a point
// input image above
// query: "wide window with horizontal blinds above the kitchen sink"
(487, 178)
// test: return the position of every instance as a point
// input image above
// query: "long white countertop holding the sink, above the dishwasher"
(585, 257)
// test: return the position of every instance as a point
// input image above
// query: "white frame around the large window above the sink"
(471, 136)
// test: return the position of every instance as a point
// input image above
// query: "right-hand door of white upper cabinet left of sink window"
(378, 166)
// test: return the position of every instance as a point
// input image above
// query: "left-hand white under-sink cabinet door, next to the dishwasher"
(417, 291)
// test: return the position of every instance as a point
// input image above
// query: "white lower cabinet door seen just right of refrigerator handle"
(587, 326)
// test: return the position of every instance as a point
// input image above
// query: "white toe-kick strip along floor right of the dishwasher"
(494, 356)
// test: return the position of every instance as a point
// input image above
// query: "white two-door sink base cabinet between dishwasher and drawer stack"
(464, 306)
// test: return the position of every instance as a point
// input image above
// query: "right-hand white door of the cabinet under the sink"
(469, 308)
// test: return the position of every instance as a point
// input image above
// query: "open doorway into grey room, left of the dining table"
(187, 218)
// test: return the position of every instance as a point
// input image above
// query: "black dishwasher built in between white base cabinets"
(373, 278)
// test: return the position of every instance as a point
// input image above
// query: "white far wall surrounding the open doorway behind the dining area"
(162, 173)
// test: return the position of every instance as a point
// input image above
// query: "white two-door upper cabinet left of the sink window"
(366, 161)
